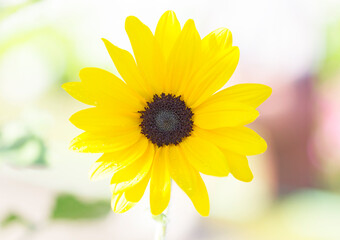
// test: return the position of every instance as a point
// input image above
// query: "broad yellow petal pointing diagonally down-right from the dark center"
(204, 156)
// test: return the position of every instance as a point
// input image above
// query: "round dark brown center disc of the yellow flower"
(166, 120)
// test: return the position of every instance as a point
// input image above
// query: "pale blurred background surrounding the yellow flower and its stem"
(291, 45)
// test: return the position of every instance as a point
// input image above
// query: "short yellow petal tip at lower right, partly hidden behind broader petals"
(239, 166)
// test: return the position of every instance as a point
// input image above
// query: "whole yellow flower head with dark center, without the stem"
(164, 119)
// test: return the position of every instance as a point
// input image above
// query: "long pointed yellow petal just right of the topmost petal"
(183, 60)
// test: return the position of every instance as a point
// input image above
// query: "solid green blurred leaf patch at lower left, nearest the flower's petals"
(71, 208)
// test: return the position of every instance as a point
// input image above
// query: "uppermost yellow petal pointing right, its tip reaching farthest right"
(248, 93)
